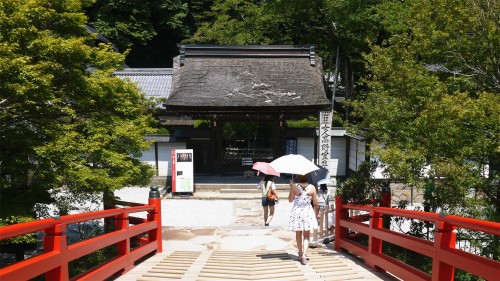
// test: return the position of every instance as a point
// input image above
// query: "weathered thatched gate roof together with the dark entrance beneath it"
(247, 93)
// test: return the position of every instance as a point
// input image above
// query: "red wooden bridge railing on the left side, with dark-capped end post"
(53, 262)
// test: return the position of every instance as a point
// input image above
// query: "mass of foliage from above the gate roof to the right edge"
(421, 79)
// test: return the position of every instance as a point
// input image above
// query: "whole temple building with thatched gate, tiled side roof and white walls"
(232, 104)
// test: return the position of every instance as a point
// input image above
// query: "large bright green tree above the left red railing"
(65, 120)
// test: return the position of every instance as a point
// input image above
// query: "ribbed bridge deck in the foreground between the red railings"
(252, 265)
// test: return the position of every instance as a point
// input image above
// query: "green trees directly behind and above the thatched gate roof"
(349, 26)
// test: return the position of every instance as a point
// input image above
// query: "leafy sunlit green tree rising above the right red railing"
(433, 100)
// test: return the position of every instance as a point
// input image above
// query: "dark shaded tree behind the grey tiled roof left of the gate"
(151, 29)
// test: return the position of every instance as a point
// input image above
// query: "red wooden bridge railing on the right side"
(443, 252)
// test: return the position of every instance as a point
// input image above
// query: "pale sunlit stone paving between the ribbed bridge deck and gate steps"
(227, 225)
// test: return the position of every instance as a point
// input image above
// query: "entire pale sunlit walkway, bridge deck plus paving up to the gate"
(227, 240)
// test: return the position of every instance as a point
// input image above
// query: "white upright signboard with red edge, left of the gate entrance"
(182, 171)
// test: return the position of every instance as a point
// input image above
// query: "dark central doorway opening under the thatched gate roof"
(246, 142)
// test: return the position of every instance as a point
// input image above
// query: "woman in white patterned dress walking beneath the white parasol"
(303, 217)
